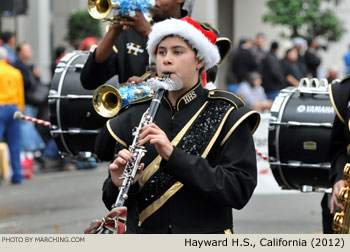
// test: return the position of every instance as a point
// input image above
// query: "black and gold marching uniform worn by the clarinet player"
(211, 170)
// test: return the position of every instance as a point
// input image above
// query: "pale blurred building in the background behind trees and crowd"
(44, 26)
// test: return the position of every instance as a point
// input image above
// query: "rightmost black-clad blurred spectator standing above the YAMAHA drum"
(311, 57)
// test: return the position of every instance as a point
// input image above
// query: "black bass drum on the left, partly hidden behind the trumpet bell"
(75, 121)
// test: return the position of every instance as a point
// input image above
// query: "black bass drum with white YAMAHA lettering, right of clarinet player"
(299, 138)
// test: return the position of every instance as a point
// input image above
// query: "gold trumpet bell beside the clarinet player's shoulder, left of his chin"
(107, 101)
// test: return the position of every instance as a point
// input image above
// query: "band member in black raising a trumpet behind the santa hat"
(123, 52)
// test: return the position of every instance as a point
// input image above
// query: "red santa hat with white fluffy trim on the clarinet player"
(200, 39)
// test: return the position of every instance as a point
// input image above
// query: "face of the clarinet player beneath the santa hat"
(175, 56)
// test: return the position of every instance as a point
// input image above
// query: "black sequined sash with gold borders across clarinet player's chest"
(196, 138)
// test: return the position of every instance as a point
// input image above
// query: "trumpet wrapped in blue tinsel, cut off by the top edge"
(101, 9)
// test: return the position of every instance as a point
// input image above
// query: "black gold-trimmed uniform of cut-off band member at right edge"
(339, 94)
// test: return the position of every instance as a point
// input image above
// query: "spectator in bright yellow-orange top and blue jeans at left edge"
(11, 100)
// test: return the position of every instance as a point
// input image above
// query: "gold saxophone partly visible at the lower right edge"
(341, 221)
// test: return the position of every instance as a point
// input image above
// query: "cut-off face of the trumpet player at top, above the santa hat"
(165, 9)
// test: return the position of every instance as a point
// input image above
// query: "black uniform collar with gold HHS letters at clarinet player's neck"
(190, 96)
